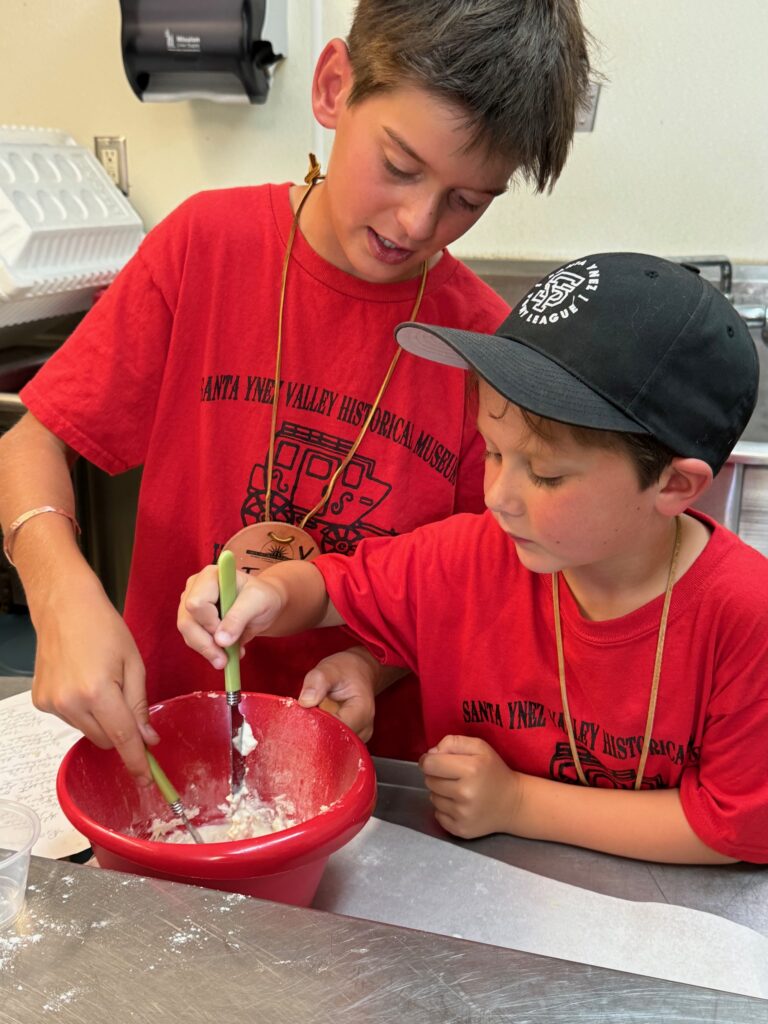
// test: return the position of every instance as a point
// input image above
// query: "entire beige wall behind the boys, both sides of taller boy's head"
(676, 164)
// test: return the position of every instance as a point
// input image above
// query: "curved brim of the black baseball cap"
(520, 373)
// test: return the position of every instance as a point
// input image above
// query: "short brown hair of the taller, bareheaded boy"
(520, 69)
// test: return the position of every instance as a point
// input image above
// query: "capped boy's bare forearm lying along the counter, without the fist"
(647, 826)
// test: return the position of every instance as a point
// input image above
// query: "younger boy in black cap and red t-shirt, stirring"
(590, 628)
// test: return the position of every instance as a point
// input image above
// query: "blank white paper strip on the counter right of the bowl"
(394, 875)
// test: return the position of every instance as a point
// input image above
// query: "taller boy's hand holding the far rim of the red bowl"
(348, 678)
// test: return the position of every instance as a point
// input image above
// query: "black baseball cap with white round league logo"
(618, 342)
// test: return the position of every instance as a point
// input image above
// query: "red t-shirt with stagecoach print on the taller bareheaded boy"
(174, 370)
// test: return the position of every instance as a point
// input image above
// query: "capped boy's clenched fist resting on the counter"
(473, 790)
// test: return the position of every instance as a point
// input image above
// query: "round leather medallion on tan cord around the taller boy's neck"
(261, 545)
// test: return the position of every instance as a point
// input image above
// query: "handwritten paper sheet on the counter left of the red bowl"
(32, 746)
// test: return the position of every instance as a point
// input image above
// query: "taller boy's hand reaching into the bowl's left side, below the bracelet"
(90, 672)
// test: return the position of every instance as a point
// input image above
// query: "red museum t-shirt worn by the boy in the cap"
(453, 603)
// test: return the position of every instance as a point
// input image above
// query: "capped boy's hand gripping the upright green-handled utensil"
(253, 612)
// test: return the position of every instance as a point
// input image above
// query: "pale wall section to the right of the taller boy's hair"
(677, 160)
